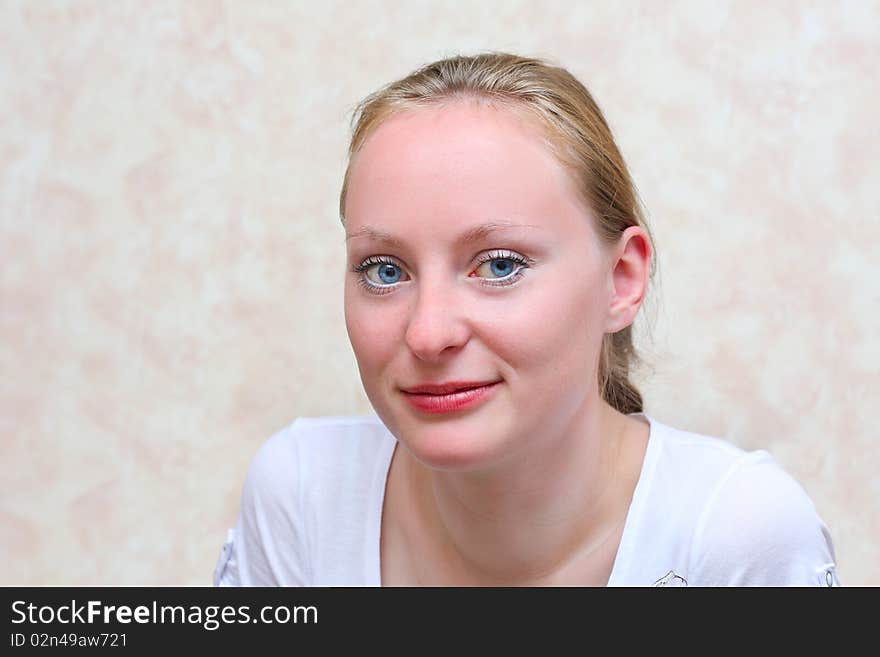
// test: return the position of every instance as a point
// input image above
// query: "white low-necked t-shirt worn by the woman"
(704, 513)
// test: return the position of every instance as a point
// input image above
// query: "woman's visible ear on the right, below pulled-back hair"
(630, 269)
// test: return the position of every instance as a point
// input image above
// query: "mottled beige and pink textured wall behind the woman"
(172, 259)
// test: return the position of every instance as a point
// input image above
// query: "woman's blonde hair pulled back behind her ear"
(574, 130)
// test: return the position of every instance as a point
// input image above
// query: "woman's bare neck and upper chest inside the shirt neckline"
(527, 519)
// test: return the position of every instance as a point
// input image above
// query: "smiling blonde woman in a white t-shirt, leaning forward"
(497, 259)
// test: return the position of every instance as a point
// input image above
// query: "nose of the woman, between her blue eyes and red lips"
(435, 324)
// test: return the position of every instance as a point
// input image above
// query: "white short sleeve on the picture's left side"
(267, 545)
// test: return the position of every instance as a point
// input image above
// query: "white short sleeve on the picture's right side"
(759, 528)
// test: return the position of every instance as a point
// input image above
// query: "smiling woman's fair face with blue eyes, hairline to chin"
(525, 304)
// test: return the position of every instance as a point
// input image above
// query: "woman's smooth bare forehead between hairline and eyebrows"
(445, 169)
